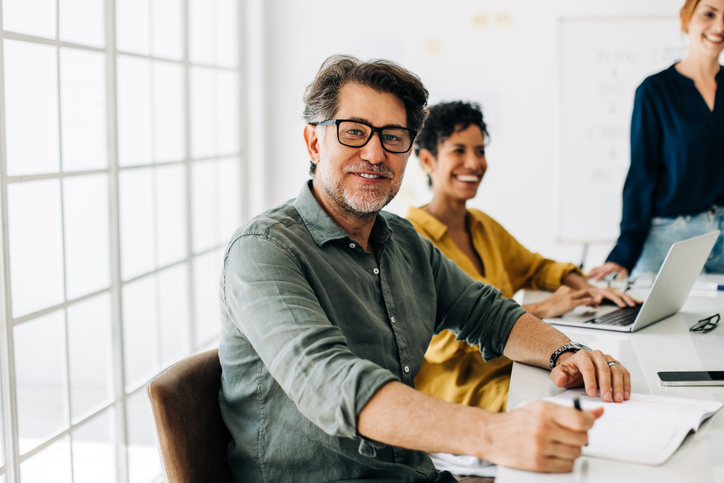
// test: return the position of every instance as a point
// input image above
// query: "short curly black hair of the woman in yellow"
(444, 119)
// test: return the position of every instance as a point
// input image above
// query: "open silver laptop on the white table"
(682, 266)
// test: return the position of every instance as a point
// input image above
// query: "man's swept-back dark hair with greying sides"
(321, 98)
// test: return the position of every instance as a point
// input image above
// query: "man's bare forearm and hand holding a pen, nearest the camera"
(541, 436)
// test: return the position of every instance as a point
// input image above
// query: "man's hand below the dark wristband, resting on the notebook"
(591, 369)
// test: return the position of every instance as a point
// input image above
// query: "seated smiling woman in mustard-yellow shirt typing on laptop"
(451, 148)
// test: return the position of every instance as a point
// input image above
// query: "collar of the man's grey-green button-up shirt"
(322, 227)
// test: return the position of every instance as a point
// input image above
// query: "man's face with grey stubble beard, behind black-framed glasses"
(360, 181)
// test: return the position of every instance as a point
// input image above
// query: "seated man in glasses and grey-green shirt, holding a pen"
(328, 305)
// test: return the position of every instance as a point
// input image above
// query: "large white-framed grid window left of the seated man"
(120, 187)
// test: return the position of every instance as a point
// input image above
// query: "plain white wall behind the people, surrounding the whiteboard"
(501, 53)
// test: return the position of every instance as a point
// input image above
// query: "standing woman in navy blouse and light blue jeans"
(675, 185)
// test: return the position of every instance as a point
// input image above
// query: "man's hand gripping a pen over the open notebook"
(540, 436)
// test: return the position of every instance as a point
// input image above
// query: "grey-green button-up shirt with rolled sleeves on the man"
(313, 326)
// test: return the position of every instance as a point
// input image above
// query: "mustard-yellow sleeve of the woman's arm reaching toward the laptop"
(527, 269)
